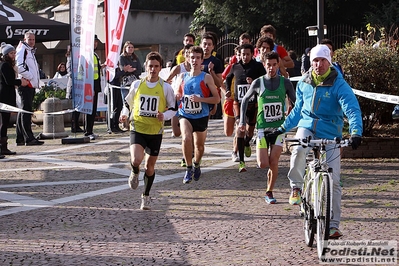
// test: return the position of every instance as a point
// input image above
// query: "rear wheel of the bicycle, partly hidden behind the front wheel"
(309, 223)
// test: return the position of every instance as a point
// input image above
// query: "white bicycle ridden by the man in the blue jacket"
(318, 184)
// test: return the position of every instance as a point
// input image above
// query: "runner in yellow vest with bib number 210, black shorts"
(147, 100)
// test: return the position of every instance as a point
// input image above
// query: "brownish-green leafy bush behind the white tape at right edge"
(371, 70)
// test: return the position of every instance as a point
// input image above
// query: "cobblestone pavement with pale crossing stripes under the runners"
(71, 205)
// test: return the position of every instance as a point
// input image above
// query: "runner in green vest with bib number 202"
(270, 90)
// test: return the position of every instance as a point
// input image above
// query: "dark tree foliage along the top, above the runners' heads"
(238, 16)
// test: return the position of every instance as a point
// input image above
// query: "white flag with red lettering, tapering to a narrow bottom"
(116, 13)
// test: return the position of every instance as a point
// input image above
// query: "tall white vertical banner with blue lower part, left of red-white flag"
(83, 19)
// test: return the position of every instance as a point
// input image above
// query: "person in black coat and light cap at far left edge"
(8, 81)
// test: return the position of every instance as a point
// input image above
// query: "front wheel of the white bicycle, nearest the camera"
(323, 219)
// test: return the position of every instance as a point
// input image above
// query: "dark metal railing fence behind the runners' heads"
(297, 40)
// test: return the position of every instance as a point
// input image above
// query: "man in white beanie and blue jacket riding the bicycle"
(322, 99)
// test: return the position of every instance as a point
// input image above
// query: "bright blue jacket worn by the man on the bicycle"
(321, 108)
